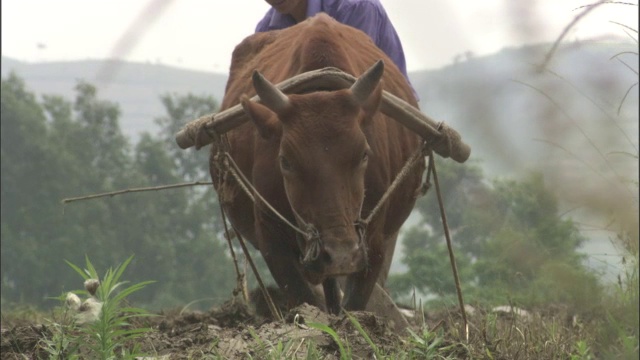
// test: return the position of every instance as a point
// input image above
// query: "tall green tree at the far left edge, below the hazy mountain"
(54, 150)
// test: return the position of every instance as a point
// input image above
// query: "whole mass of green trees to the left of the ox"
(54, 149)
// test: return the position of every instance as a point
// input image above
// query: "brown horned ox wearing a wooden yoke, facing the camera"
(323, 159)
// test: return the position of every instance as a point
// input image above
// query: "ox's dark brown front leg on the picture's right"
(360, 285)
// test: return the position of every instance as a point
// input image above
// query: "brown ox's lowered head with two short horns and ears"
(323, 156)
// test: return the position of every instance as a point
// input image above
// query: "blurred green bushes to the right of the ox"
(510, 243)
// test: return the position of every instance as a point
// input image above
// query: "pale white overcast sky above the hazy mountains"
(201, 34)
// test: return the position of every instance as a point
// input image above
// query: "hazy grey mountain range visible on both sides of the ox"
(499, 103)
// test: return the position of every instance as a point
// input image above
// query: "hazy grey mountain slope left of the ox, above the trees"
(136, 87)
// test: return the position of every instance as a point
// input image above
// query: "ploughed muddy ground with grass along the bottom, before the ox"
(236, 331)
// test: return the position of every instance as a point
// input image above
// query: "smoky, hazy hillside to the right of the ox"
(504, 104)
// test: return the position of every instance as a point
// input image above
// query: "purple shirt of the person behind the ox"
(366, 15)
